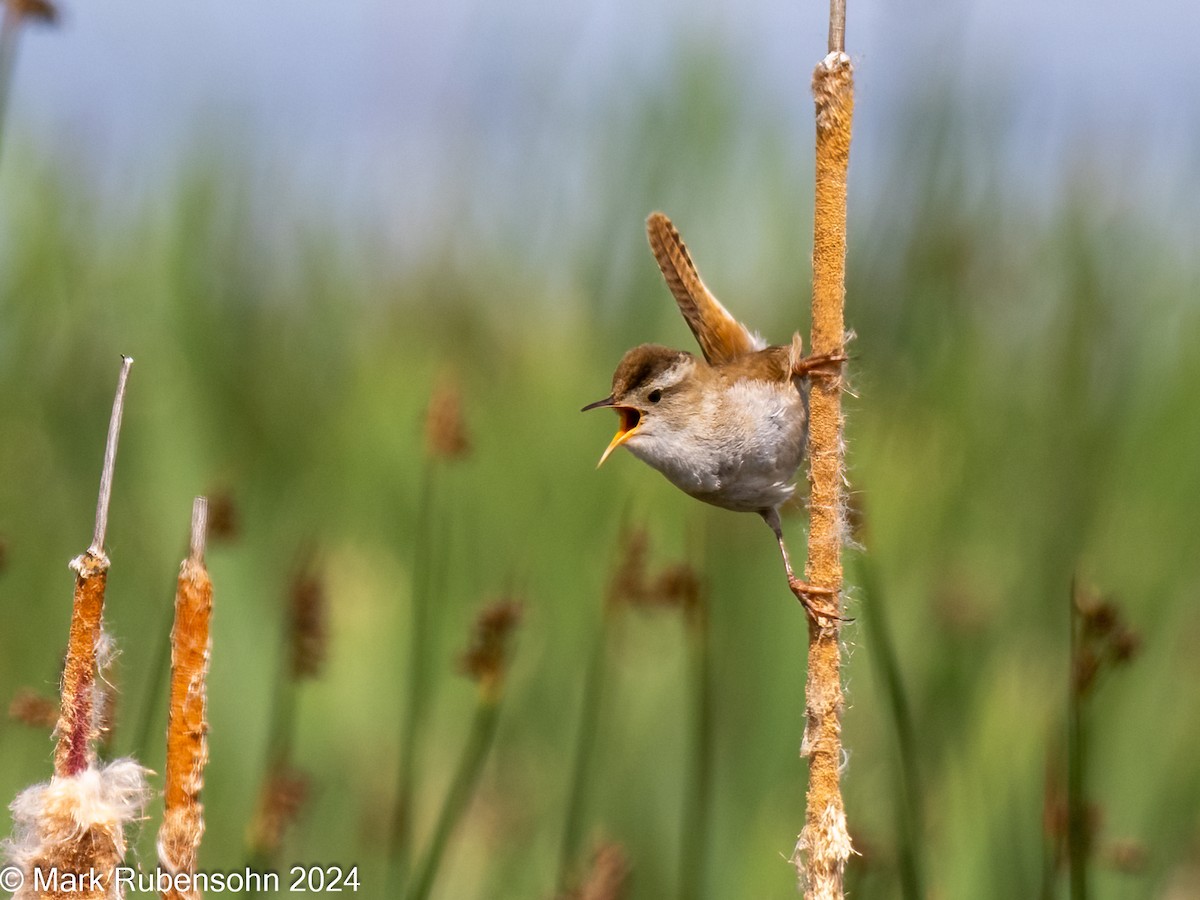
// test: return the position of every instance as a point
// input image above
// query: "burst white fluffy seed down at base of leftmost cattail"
(75, 825)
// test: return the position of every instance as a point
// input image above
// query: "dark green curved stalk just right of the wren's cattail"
(883, 655)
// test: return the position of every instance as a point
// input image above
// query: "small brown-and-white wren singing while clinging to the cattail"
(729, 429)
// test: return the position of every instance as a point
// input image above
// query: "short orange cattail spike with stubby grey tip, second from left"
(183, 825)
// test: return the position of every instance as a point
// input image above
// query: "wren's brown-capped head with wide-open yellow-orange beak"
(650, 380)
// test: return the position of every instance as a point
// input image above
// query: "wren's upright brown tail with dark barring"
(722, 338)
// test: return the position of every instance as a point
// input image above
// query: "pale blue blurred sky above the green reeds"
(347, 93)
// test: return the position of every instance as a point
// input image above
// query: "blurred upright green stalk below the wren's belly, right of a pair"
(698, 795)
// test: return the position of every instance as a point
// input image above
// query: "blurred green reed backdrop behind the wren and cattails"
(1027, 411)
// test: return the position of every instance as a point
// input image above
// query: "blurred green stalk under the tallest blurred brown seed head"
(401, 841)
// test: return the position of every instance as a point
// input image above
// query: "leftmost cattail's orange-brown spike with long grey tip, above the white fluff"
(77, 728)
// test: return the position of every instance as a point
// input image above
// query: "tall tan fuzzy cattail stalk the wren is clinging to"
(824, 847)
